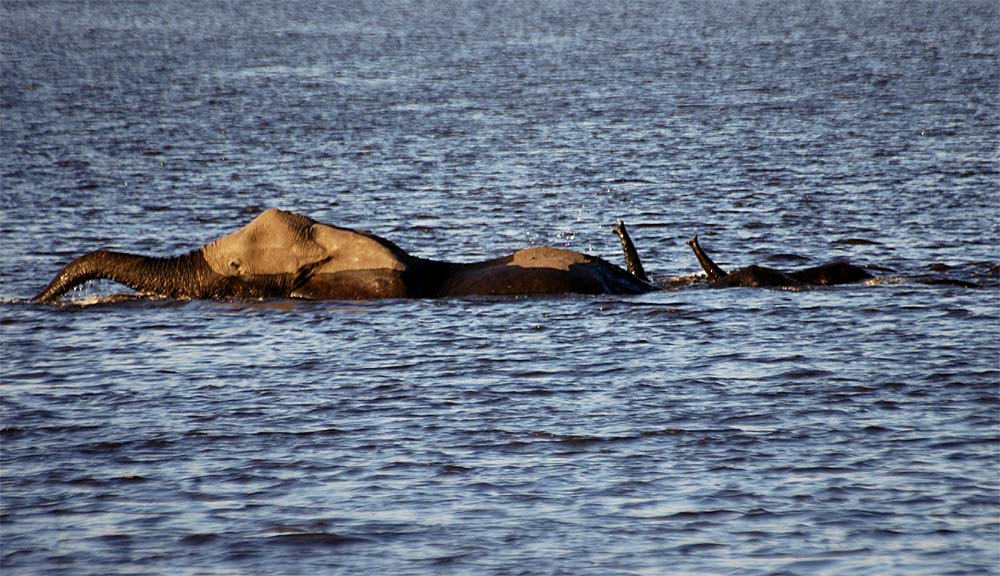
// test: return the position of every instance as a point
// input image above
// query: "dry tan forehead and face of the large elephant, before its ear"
(276, 242)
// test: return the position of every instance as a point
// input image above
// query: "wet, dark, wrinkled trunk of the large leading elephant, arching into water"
(187, 276)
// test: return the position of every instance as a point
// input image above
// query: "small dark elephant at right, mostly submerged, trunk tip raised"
(837, 272)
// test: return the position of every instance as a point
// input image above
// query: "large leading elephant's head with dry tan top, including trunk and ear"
(275, 255)
